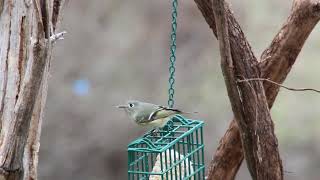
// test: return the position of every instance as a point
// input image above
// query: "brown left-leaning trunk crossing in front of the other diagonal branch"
(248, 103)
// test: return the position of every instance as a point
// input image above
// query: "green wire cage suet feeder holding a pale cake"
(175, 154)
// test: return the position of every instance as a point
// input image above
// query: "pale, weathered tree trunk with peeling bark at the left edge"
(25, 53)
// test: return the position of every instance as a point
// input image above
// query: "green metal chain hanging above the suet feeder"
(173, 46)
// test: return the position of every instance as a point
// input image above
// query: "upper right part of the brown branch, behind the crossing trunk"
(279, 57)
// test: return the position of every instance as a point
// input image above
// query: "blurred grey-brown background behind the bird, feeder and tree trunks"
(117, 50)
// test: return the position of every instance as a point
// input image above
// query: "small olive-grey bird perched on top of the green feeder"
(150, 115)
